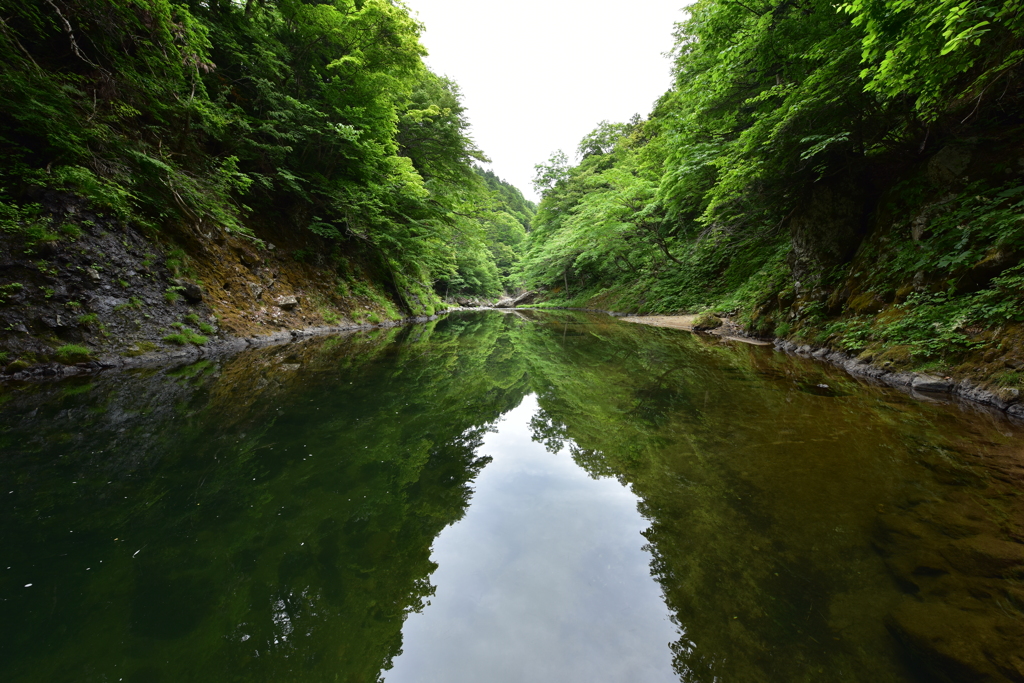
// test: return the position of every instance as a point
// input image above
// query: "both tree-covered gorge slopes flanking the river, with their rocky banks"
(849, 176)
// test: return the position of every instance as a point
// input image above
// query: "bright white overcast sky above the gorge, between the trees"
(539, 75)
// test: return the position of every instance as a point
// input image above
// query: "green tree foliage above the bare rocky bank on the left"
(310, 118)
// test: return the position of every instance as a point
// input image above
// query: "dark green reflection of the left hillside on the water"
(268, 520)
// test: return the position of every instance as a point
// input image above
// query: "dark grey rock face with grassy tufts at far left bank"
(105, 287)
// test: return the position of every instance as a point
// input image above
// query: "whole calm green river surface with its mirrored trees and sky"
(506, 497)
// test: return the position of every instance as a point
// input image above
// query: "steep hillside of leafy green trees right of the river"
(843, 175)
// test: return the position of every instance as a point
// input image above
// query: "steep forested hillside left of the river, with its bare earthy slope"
(304, 145)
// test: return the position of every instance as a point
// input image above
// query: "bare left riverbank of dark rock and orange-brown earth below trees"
(87, 292)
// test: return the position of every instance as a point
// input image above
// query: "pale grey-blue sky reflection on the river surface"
(544, 580)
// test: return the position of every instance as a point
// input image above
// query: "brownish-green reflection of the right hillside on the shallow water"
(799, 535)
